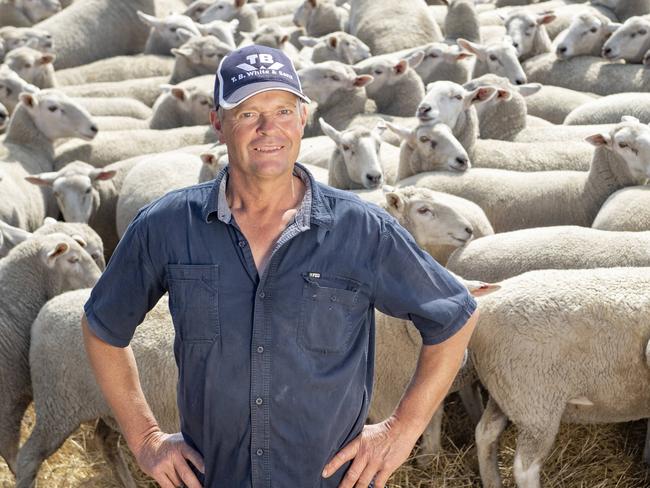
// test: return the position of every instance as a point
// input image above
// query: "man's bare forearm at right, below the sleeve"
(435, 372)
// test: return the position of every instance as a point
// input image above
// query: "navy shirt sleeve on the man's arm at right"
(410, 284)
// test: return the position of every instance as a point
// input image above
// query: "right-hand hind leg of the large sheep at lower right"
(533, 445)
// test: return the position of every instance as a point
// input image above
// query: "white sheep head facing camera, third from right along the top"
(528, 33)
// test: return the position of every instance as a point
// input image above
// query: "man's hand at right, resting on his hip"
(377, 452)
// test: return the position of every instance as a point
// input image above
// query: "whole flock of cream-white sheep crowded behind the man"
(511, 141)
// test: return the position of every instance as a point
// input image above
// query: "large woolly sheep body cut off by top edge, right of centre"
(381, 25)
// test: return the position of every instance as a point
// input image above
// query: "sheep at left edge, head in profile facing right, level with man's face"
(37, 122)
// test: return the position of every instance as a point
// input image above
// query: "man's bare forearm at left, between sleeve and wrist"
(117, 375)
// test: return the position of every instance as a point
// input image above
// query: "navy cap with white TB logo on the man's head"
(251, 70)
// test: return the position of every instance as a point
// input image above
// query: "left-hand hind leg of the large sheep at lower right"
(489, 429)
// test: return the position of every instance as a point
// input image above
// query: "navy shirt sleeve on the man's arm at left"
(130, 286)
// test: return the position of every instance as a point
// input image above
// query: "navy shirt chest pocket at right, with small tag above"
(331, 312)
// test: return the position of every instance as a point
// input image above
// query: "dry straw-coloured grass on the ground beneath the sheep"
(604, 456)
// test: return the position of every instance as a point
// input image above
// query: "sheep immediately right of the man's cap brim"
(337, 90)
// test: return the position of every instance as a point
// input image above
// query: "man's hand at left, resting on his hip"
(164, 457)
